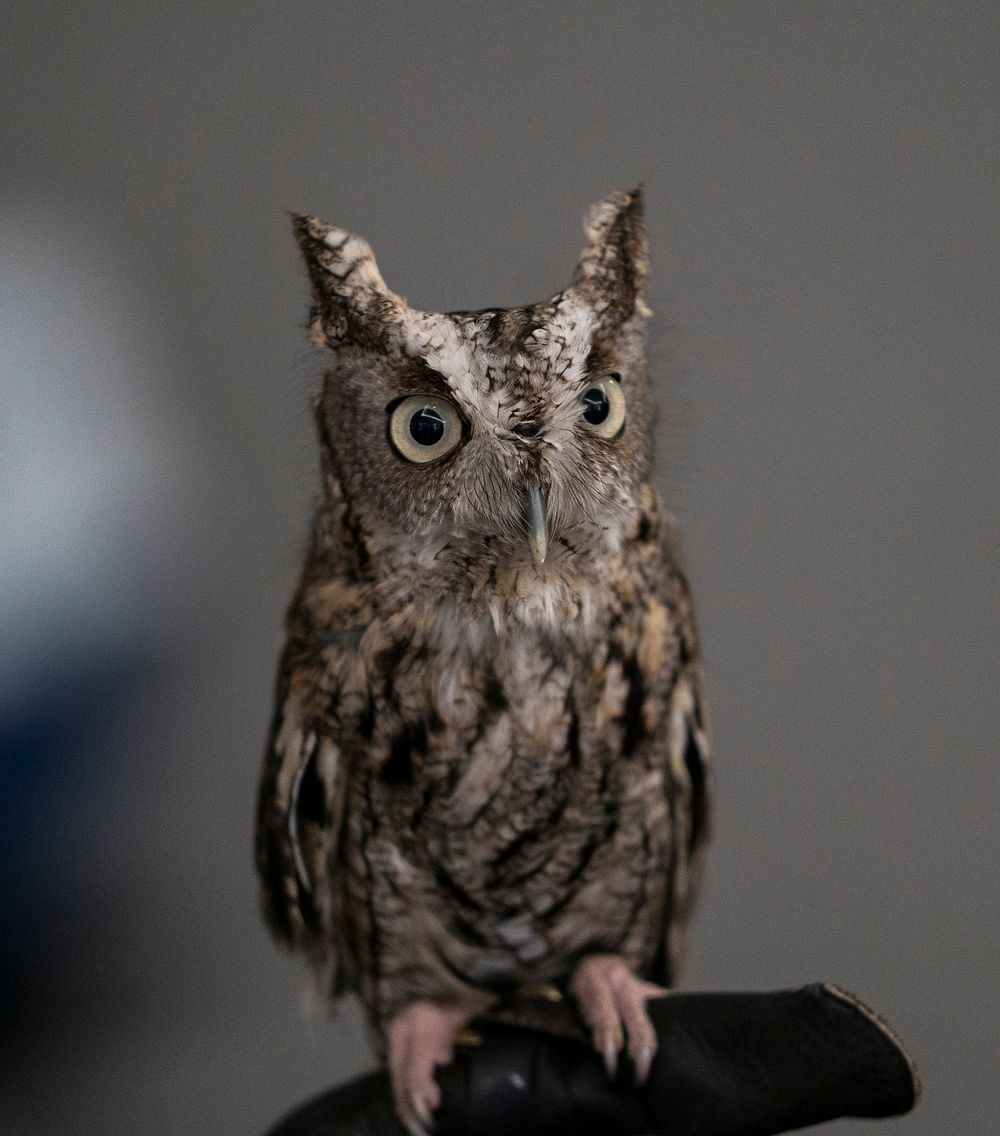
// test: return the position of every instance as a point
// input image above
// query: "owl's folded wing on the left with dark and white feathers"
(299, 820)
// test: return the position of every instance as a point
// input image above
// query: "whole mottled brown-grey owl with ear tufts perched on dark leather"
(488, 767)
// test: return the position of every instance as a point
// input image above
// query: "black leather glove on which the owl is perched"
(728, 1065)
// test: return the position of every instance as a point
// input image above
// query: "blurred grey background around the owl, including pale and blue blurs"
(822, 189)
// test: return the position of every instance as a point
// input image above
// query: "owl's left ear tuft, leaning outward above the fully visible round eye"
(352, 304)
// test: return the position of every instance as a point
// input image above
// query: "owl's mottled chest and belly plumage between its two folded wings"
(503, 786)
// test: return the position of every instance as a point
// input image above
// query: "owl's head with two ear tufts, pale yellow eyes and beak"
(516, 438)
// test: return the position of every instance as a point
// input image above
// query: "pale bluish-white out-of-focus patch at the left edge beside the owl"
(88, 452)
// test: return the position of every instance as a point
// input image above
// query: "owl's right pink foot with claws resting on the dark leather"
(613, 1004)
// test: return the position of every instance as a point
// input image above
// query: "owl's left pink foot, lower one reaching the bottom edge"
(421, 1039)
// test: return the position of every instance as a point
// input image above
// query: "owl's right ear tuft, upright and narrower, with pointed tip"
(615, 261)
